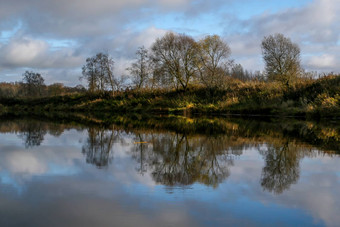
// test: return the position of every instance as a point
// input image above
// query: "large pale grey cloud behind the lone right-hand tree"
(315, 27)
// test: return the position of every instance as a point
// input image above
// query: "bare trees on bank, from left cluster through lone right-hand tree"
(177, 61)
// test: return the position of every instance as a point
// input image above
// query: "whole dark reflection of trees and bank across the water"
(177, 151)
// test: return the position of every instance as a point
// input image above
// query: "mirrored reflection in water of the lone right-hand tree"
(281, 168)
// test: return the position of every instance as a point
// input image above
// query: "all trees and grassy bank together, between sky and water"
(183, 76)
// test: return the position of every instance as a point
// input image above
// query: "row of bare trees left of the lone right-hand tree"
(175, 61)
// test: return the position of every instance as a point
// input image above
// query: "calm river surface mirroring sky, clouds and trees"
(171, 172)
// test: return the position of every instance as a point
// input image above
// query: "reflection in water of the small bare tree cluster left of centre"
(98, 146)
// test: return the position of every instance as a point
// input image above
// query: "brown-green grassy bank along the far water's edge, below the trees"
(308, 98)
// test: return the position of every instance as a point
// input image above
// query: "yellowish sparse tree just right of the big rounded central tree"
(214, 60)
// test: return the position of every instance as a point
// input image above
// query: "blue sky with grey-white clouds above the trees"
(54, 37)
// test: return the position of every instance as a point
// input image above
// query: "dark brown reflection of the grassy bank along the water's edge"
(325, 136)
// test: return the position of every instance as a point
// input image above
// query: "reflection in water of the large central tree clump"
(179, 159)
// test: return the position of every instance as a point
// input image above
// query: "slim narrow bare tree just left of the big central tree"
(140, 69)
